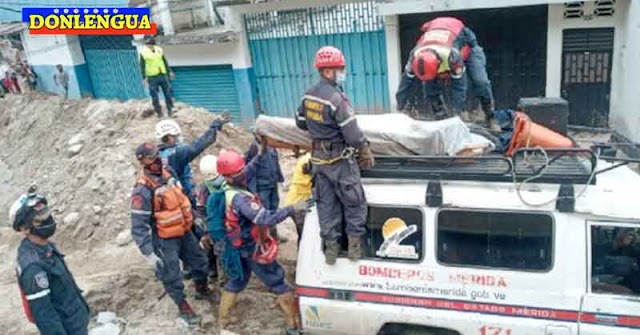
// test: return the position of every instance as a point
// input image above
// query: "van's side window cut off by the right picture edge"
(615, 258)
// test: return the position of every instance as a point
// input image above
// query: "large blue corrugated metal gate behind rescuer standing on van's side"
(283, 45)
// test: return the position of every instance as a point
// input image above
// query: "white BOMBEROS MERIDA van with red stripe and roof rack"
(485, 246)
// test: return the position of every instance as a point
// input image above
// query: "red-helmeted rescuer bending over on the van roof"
(447, 50)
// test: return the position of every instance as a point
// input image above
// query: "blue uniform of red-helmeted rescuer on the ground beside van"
(251, 212)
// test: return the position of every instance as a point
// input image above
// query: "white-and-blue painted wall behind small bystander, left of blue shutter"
(44, 52)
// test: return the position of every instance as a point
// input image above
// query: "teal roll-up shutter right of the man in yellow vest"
(210, 87)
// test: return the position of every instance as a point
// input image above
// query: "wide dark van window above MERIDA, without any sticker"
(520, 241)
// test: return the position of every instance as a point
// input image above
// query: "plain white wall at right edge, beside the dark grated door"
(625, 117)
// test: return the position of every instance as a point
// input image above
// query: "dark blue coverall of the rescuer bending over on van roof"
(411, 90)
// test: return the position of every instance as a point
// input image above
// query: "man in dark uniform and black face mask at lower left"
(51, 297)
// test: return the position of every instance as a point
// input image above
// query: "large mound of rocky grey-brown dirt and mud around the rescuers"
(90, 189)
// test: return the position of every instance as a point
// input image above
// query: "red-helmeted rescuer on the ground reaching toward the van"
(246, 225)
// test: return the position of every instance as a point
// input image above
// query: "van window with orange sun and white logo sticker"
(395, 233)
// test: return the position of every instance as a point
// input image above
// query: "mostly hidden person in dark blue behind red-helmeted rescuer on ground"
(268, 176)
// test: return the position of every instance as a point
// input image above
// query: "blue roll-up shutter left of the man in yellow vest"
(113, 67)
